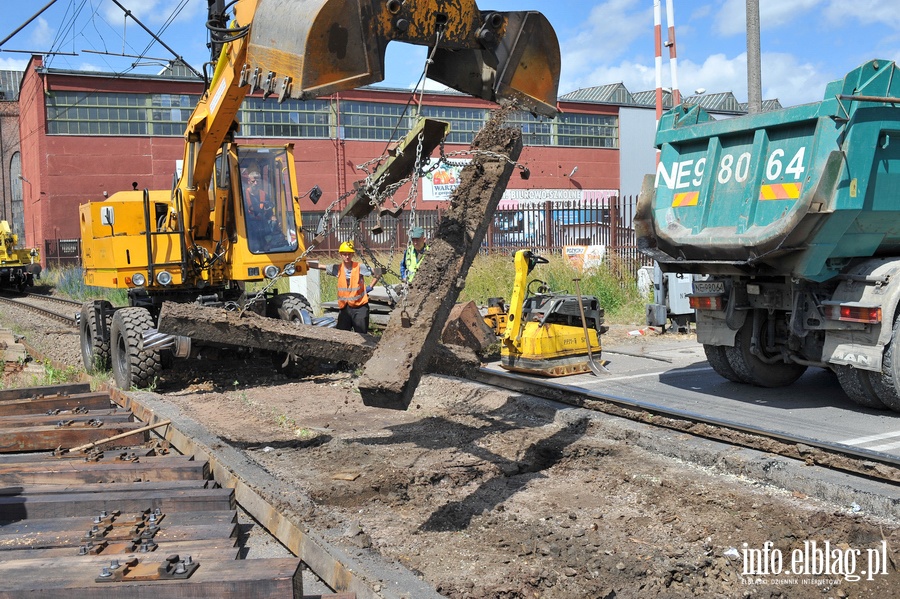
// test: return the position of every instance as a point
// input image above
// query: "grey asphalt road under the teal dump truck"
(676, 375)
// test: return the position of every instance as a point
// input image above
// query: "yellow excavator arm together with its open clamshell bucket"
(308, 48)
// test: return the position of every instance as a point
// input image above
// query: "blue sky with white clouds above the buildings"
(805, 43)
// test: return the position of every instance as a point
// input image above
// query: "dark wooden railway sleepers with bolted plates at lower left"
(130, 517)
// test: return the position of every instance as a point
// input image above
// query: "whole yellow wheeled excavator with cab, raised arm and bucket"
(202, 241)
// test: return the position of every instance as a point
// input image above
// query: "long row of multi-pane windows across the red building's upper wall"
(166, 115)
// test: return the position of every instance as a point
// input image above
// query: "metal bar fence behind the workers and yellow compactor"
(546, 227)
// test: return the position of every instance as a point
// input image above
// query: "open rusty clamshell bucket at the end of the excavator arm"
(309, 48)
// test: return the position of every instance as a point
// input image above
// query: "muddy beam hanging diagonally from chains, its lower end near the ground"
(391, 375)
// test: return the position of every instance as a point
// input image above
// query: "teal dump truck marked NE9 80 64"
(793, 219)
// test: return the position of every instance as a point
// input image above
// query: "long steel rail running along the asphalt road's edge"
(577, 396)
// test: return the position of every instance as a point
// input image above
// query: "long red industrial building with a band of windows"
(84, 134)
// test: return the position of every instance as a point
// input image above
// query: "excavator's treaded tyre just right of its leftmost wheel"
(133, 366)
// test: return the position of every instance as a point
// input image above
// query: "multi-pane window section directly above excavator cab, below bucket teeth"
(292, 118)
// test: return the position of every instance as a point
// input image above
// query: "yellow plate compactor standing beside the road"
(549, 333)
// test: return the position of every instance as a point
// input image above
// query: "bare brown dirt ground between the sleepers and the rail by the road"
(488, 494)
